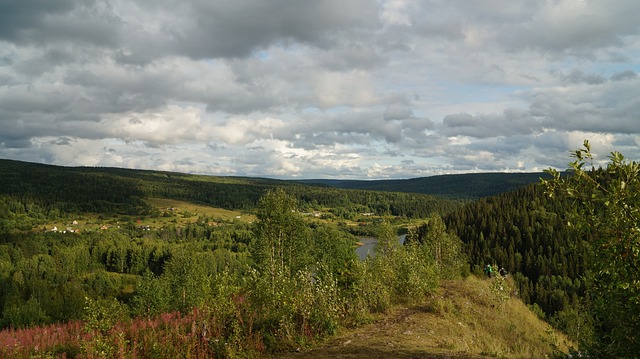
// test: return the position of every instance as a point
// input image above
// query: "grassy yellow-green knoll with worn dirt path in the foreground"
(466, 319)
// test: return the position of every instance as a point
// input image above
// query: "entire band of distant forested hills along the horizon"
(68, 184)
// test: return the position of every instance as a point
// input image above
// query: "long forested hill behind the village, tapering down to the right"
(117, 190)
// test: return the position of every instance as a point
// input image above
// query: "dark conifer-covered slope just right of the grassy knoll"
(525, 232)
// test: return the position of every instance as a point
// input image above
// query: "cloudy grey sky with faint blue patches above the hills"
(349, 89)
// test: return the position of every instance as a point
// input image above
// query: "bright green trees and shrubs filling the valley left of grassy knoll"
(245, 287)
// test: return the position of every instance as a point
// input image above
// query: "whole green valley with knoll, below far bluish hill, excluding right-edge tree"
(156, 262)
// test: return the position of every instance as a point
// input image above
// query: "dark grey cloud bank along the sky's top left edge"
(142, 31)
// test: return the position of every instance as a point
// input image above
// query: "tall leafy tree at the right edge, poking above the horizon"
(606, 204)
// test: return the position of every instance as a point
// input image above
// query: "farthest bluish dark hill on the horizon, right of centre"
(468, 186)
